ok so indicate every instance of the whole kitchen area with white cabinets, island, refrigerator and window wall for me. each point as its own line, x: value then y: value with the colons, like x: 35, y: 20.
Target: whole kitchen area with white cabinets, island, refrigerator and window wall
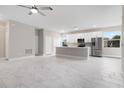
x: 91, y: 43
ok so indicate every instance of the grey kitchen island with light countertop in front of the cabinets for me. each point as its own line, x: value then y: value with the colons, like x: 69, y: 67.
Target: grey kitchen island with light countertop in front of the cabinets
x: 73, y: 52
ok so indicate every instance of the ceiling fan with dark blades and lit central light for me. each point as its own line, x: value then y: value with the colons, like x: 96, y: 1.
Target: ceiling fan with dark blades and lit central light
x: 36, y: 9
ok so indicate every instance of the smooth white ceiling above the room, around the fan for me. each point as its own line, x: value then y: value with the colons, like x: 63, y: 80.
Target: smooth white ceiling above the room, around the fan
x: 65, y: 18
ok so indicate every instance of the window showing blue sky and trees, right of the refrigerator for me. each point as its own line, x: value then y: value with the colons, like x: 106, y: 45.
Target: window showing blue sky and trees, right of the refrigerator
x: 112, y: 39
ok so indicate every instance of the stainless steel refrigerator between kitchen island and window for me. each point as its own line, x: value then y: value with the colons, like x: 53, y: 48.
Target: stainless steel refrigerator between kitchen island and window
x: 96, y: 47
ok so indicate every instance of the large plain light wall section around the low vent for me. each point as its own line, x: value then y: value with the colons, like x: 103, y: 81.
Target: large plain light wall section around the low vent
x: 21, y: 37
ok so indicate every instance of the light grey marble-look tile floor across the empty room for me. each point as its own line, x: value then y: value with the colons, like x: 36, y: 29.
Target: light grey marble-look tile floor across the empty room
x: 52, y: 72
